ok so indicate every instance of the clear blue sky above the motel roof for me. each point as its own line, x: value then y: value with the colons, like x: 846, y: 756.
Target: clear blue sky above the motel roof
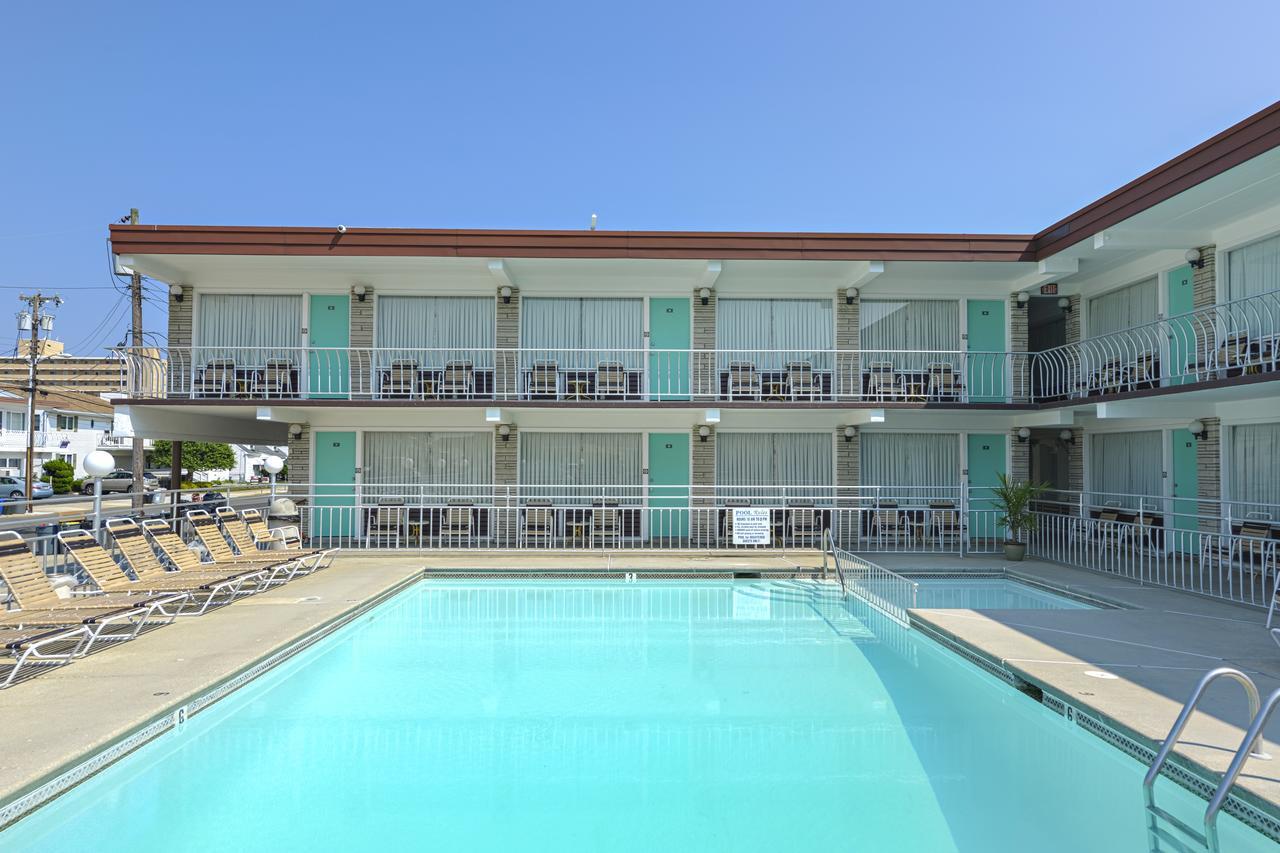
x: 797, y: 116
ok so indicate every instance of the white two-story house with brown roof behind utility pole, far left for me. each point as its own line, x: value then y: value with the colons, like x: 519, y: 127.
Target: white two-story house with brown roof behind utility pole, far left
x: 68, y: 427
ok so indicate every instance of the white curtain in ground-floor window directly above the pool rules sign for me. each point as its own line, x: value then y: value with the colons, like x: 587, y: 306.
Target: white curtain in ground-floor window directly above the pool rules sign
x: 770, y: 460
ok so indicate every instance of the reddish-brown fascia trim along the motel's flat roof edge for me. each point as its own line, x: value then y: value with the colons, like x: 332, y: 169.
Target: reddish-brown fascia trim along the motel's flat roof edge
x: 1233, y: 147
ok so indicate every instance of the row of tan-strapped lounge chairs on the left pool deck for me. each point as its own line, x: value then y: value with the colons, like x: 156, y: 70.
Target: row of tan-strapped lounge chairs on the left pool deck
x: 150, y: 580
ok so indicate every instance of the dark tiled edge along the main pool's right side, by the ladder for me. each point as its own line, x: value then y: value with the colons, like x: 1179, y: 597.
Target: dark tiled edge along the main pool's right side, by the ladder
x: 1260, y: 815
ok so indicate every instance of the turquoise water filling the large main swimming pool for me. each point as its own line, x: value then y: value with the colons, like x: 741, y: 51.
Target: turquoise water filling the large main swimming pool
x: 563, y: 717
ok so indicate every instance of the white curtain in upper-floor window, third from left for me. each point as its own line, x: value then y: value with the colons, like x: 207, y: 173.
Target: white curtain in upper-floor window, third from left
x: 609, y: 330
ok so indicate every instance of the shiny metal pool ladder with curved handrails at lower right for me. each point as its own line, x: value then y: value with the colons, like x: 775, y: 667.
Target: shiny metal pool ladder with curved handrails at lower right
x: 1251, y: 747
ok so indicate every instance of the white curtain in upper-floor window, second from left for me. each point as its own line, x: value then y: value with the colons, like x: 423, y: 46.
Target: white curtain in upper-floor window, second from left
x: 450, y: 329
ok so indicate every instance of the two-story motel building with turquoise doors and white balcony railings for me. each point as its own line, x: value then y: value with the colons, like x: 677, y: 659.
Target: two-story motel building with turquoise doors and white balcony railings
x: 715, y: 391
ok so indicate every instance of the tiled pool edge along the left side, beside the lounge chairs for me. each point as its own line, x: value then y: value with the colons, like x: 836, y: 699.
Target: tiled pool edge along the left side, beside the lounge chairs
x: 52, y: 786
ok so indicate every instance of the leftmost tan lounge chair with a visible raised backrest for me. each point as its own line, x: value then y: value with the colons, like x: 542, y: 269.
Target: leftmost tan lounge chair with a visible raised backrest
x: 40, y: 605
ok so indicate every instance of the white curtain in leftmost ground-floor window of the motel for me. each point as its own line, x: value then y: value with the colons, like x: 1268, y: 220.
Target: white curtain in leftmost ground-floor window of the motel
x: 428, y: 467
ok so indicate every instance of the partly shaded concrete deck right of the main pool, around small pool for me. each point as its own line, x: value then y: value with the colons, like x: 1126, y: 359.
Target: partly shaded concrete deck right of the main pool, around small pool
x: 1158, y: 646
